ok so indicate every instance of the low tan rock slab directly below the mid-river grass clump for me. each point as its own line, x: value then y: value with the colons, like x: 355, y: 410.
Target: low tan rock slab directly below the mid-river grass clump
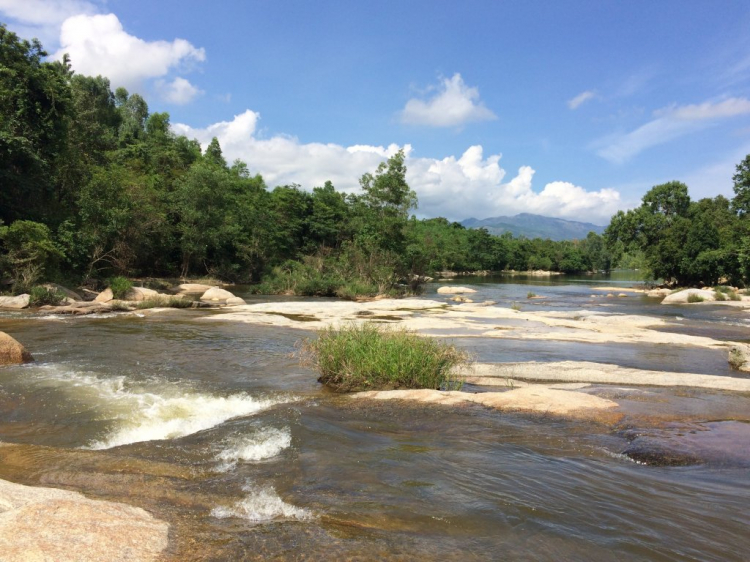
x: 535, y: 398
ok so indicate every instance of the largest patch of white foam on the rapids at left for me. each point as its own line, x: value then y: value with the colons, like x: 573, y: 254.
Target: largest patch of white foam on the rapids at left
x: 152, y: 409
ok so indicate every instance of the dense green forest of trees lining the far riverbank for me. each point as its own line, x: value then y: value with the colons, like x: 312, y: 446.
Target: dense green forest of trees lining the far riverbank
x: 93, y: 185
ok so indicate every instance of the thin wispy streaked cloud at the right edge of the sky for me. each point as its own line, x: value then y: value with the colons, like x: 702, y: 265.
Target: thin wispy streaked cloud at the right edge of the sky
x: 669, y: 123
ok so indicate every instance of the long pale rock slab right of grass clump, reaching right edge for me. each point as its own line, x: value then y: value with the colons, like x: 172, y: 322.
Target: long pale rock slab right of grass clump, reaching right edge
x: 489, y: 374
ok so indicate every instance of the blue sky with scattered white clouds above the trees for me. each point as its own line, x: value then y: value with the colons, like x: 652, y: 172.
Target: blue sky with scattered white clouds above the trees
x: 570, y: 109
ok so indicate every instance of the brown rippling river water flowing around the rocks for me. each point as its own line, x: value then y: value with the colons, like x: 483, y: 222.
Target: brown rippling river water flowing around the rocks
x: 215, y: 428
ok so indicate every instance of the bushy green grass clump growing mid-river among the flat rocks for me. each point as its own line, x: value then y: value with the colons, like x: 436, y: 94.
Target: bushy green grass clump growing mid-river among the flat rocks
x: 375, y: 357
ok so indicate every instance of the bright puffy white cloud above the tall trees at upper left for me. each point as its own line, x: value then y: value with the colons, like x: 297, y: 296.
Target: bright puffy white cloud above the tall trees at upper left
x: 98, y: 44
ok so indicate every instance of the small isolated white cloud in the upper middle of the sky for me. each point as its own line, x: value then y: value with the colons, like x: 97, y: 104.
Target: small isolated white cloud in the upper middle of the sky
x: 454, y: 105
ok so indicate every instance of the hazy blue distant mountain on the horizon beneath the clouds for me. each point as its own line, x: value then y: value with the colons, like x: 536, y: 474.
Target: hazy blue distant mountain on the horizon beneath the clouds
x: 535, y: 226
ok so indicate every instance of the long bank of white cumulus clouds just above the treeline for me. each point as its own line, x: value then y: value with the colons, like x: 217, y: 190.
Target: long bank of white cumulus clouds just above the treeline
x: 453, y: 187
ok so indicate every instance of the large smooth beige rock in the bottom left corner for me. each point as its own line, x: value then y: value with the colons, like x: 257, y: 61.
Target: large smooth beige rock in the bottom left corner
x: 41, y: 524
